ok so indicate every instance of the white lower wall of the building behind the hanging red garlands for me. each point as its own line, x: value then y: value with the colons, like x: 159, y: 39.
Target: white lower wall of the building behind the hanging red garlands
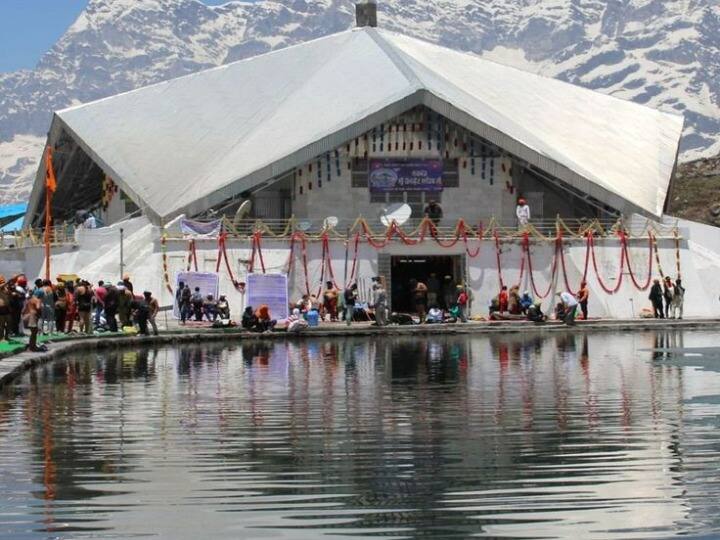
x: 98, y: 258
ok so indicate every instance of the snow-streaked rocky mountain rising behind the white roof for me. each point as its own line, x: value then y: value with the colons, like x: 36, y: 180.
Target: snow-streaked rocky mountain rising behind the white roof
x: 663, y: 53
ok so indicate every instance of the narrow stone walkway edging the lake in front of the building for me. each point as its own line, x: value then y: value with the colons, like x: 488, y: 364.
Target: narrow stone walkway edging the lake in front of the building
x: 14, y: 364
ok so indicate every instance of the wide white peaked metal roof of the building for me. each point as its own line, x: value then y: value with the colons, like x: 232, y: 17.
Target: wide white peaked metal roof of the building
x: 186, y: 144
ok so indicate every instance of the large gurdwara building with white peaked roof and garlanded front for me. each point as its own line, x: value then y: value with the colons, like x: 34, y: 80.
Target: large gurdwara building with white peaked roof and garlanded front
x: 325, y: 138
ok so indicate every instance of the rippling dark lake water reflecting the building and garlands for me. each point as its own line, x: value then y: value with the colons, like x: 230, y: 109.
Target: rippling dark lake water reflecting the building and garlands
x: 522, y: 436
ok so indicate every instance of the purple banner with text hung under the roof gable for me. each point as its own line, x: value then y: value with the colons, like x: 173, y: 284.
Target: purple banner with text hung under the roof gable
x: 405, y: 175
